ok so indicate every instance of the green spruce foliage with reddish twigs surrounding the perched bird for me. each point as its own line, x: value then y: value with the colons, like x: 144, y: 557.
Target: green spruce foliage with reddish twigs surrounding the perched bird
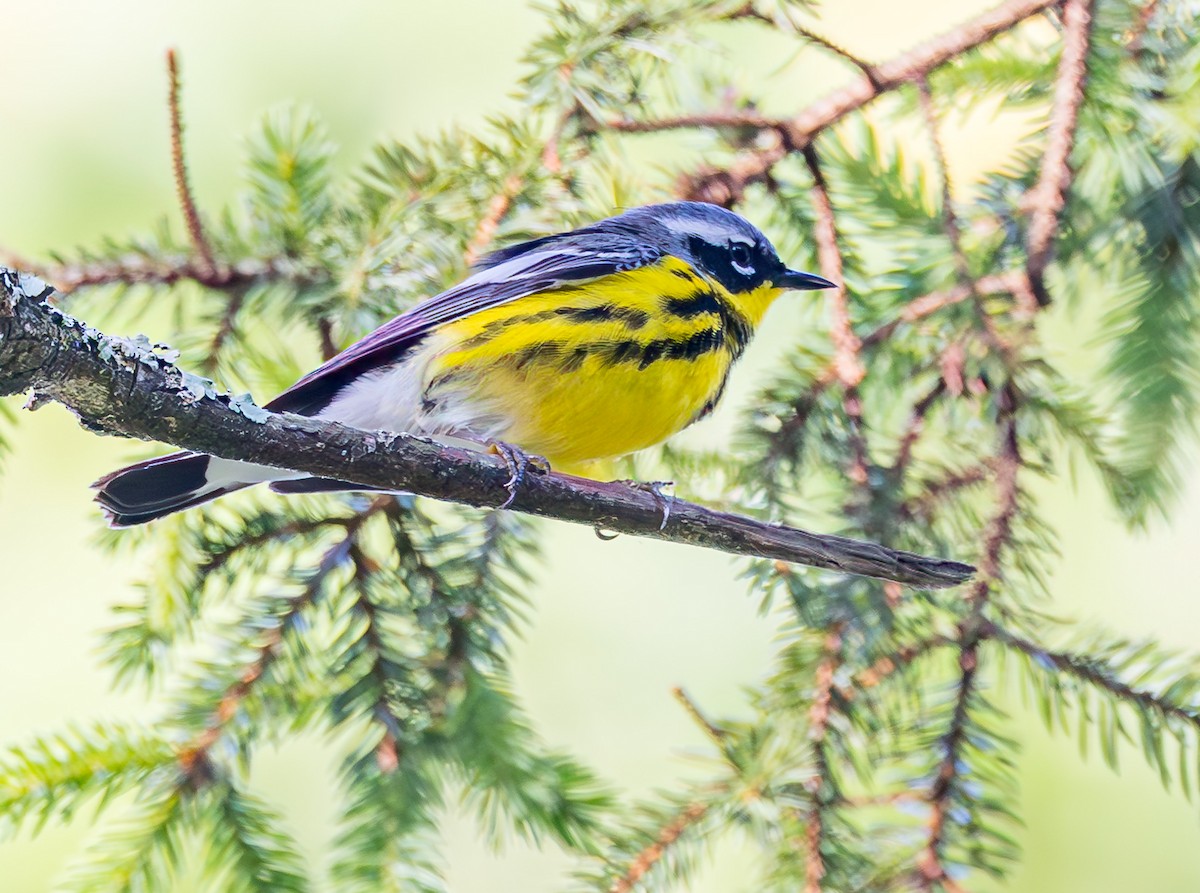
x: 875, y: 758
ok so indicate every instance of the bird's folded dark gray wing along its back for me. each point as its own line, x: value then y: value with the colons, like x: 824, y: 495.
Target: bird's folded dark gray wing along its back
x: 544, y: 266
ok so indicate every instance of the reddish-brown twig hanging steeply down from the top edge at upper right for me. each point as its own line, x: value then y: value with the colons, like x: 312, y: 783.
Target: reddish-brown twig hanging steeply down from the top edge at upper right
x: 1049, y: 196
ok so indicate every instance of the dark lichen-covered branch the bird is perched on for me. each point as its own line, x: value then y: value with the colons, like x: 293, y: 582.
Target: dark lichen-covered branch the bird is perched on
x: 121, y: 387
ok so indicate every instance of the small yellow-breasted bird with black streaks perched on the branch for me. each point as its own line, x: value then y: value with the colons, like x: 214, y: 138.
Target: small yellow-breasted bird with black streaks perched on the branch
x: 571, y: 349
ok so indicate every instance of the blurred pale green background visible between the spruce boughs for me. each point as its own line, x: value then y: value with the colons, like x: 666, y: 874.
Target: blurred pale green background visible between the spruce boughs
x: 613, y: 627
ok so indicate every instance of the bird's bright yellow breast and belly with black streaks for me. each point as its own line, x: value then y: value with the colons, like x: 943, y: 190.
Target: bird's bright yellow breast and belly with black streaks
x: 598, y: 370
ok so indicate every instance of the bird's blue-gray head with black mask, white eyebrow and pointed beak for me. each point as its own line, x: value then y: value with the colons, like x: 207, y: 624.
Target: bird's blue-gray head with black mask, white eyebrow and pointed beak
x: 721, y: 243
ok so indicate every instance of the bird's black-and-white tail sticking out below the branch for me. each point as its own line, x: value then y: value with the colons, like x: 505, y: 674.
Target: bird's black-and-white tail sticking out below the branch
x: 169, y: 484
